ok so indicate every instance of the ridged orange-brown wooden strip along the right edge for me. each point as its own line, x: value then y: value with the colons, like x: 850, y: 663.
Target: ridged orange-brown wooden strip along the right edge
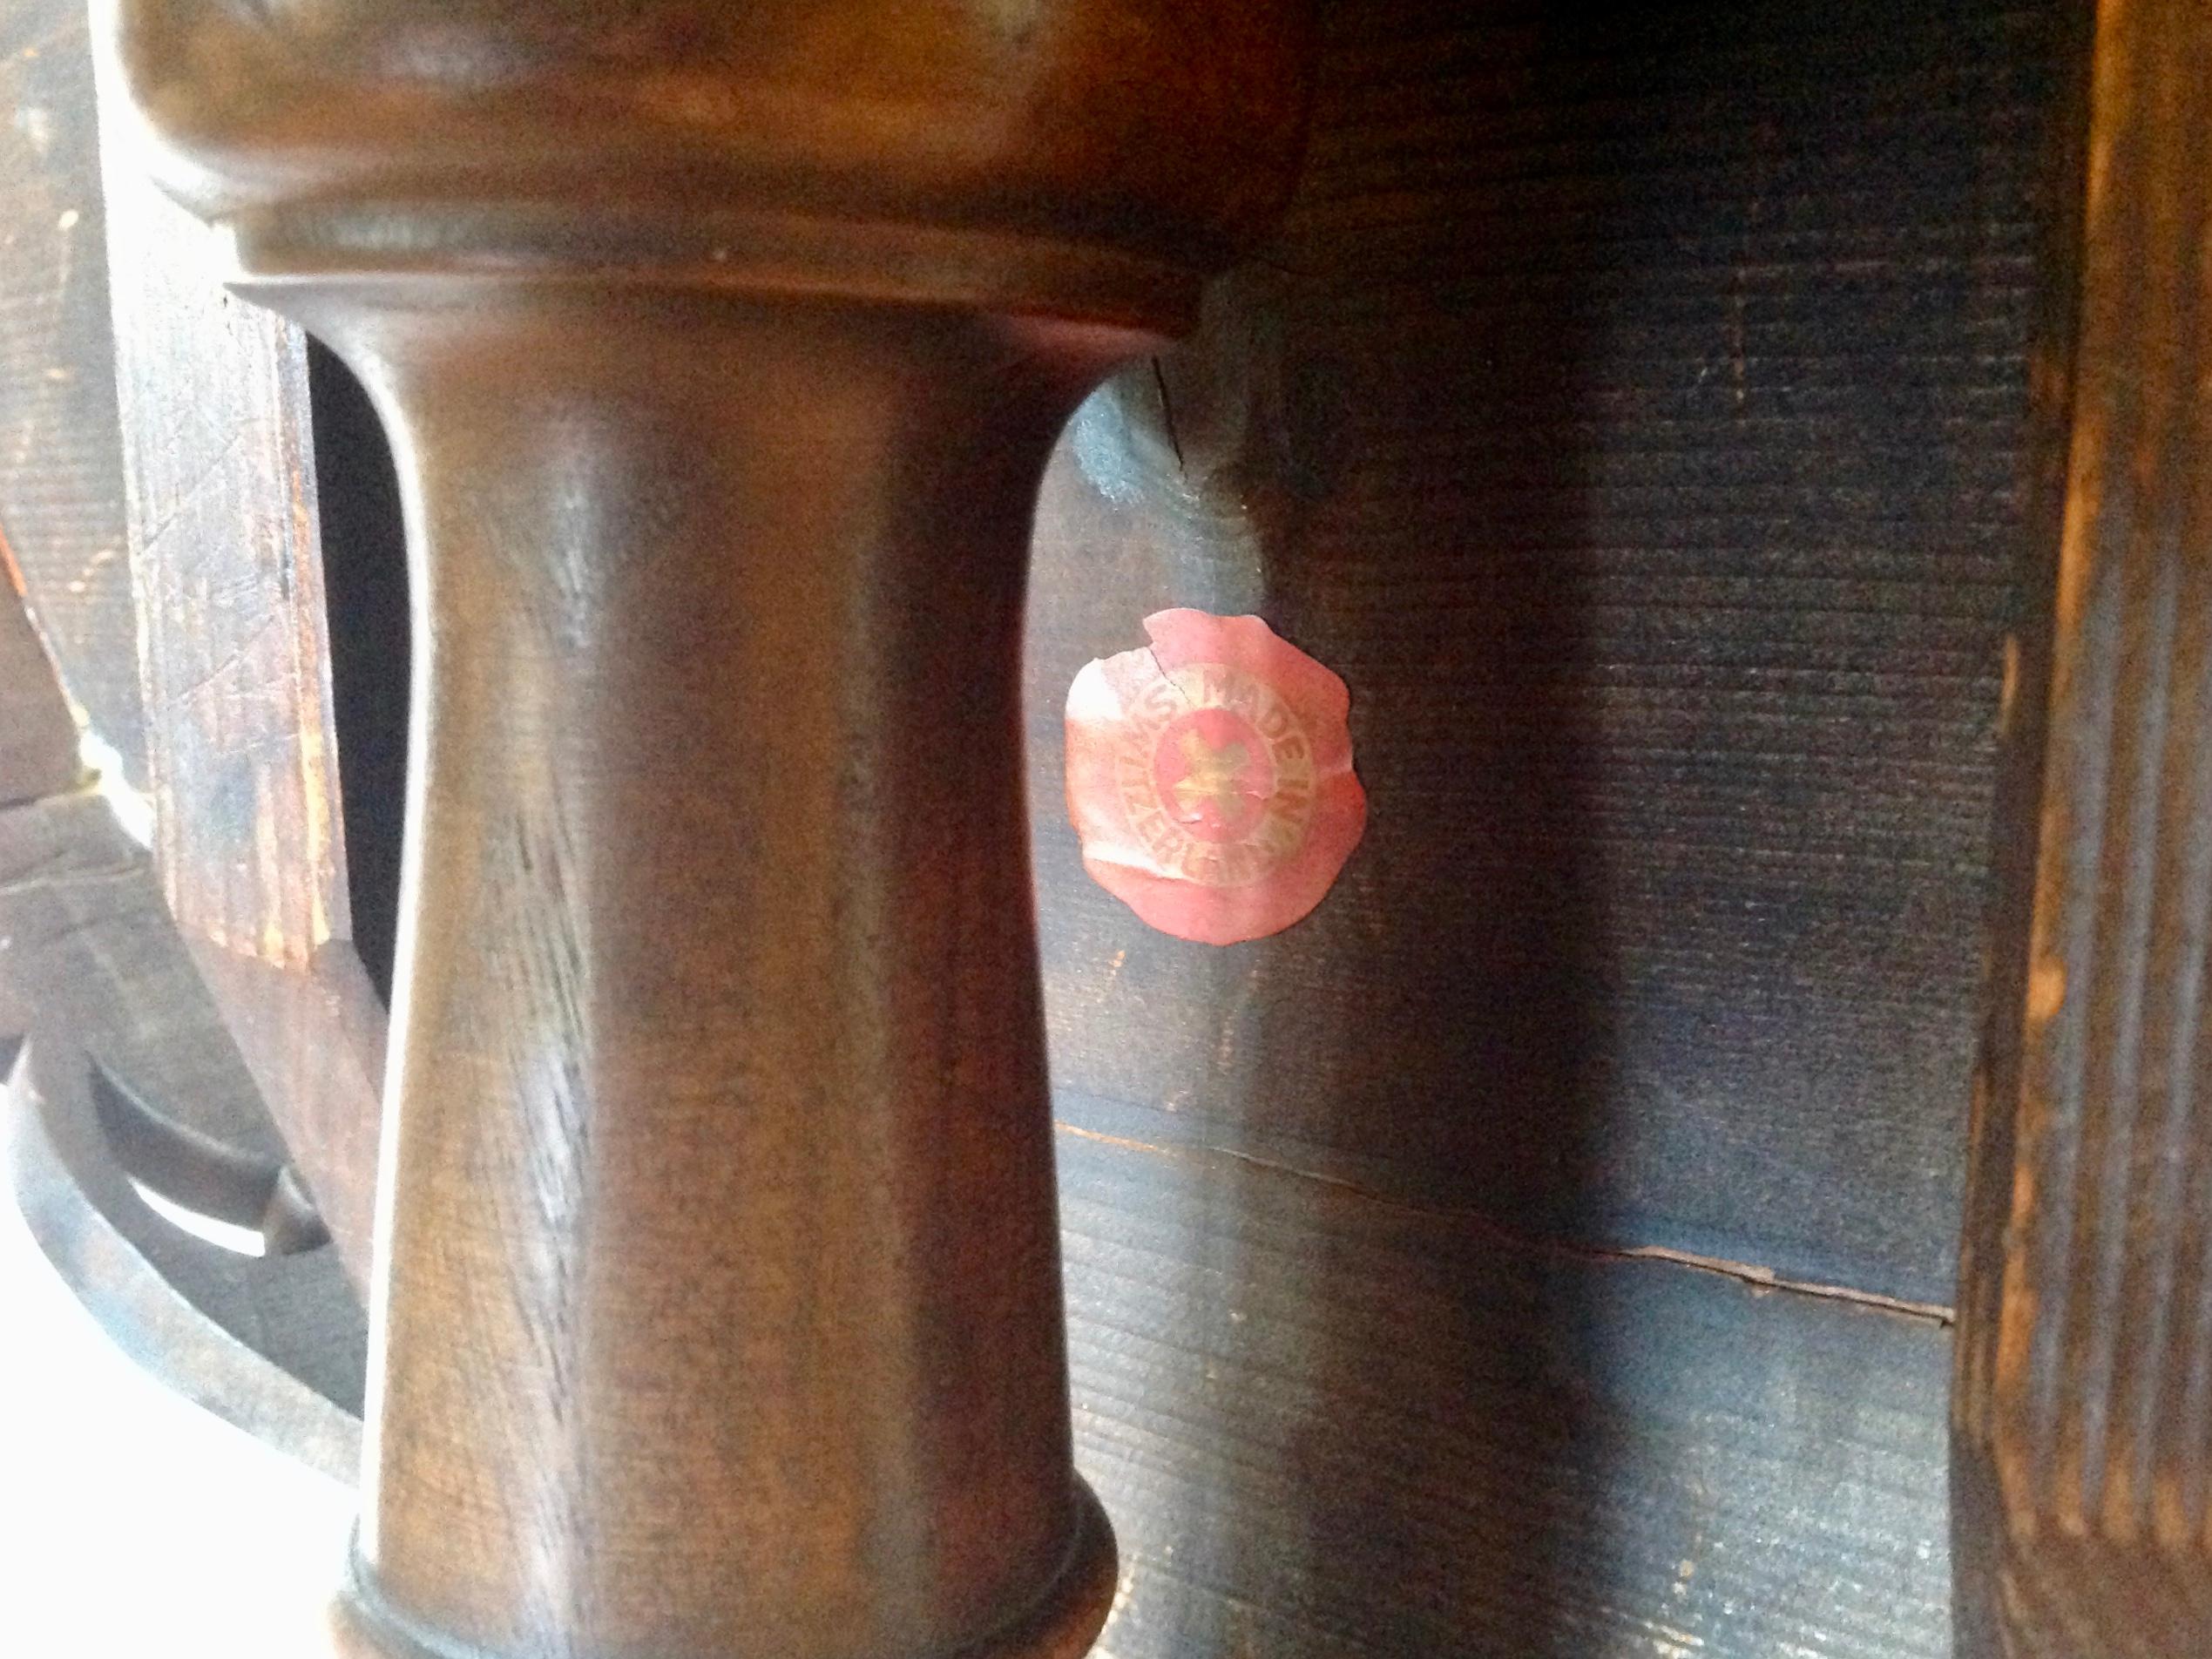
x: 2085, y: 1384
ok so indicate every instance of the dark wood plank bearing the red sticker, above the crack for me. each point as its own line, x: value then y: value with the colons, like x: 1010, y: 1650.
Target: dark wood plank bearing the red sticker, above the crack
x: 1634, y: 415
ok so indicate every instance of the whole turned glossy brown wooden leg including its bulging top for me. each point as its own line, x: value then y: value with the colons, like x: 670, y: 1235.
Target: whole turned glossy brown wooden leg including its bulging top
x: 716, y: 1297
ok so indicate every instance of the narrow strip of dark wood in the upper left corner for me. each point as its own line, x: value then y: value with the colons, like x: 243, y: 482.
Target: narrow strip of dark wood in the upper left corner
x: 61, y: 450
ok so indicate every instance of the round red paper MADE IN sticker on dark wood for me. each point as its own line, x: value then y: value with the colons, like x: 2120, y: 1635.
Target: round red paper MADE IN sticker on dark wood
x: 1211, y: 778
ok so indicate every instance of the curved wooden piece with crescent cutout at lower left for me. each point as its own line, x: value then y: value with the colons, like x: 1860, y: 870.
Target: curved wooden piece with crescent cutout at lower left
x: 134, y: 1087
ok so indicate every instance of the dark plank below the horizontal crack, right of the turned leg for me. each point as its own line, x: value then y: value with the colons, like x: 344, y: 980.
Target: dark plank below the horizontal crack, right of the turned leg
x: 1335, y: 1426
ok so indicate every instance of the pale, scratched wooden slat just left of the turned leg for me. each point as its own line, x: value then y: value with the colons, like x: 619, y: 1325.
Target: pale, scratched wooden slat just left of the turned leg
x: 227, y: 565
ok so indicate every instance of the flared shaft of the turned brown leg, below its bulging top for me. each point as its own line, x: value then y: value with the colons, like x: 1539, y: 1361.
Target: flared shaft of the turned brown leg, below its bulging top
x: 738, y: 1326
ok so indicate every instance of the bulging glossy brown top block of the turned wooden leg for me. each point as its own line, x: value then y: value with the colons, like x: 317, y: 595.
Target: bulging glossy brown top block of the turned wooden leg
x: 1052, y: 156
